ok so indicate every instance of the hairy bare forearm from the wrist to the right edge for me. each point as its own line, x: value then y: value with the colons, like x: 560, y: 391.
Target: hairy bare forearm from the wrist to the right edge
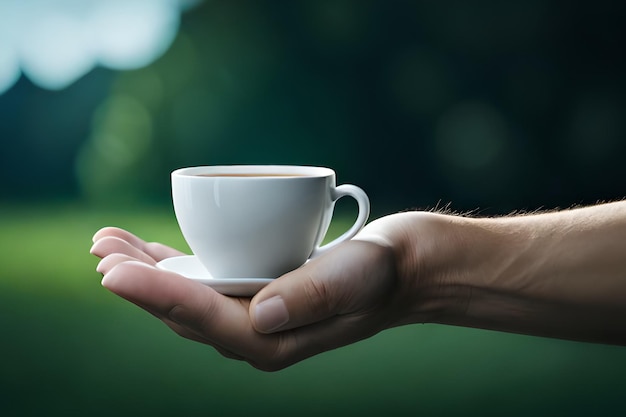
x: 560, y: 274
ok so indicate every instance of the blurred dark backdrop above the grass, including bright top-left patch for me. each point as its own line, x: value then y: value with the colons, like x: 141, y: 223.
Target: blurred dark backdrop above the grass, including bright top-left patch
x: 491, y: 105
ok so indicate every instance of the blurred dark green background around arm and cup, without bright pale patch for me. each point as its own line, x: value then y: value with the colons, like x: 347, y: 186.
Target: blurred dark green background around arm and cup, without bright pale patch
x: 485, y: 105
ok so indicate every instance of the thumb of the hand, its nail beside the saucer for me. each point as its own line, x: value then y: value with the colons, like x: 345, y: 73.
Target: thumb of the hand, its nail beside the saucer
x: 343, y: 281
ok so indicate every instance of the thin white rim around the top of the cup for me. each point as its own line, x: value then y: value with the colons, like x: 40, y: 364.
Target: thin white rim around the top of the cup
x: 296, y: 170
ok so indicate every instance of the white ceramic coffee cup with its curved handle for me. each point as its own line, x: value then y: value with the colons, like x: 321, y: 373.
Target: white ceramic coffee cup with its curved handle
x: 259, y: 221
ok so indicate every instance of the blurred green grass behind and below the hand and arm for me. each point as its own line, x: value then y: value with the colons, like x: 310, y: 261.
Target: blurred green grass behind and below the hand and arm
x: 69, y: 347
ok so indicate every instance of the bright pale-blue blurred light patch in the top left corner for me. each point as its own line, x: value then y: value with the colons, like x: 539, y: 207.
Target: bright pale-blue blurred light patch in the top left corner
x: 58, y: 41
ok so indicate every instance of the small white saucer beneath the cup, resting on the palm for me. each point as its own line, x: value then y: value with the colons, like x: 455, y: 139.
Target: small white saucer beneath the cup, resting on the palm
x: 190, y: 267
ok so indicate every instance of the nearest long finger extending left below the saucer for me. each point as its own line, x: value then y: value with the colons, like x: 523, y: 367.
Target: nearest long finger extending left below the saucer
x: 220, y: 321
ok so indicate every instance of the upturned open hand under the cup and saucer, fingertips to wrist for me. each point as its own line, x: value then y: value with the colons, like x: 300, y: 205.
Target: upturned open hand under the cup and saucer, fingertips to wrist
x: 346, y: 295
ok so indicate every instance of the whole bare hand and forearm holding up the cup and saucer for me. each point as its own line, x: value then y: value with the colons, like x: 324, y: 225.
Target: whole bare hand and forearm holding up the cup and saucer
x: 560, y: 274
